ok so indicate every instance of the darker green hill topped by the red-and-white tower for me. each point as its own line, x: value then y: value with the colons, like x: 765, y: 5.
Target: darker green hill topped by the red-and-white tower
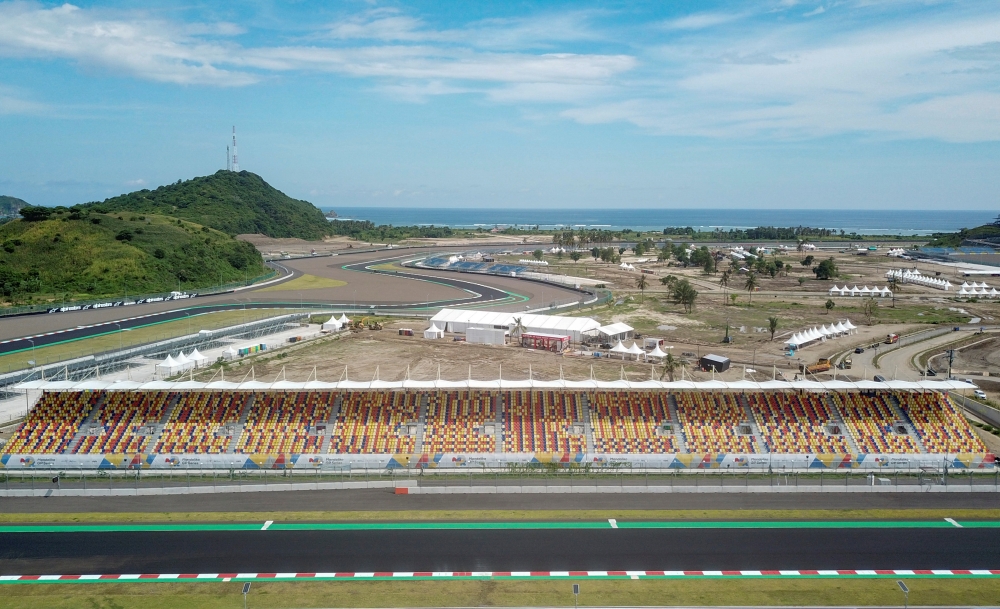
x: 234, y: 203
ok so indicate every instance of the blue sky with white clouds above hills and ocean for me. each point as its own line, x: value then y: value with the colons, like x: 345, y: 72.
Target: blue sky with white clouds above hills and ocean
x: 770, y: 104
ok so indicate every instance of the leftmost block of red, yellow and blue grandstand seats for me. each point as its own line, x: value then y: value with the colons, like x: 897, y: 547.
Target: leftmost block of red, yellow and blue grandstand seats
x: 53, y: 422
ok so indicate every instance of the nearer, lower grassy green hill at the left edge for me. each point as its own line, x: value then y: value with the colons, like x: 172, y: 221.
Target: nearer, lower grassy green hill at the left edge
x: 77, y: 254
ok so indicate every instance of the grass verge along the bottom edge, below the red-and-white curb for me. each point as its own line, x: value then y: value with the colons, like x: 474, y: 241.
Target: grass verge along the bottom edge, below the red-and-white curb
x: 490, y: 593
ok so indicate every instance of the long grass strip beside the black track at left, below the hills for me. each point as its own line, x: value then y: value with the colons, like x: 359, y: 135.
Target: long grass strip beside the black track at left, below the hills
x: 138, y: 336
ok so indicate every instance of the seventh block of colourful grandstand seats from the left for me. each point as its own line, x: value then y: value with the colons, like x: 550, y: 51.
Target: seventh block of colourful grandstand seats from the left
x: 543, y: 421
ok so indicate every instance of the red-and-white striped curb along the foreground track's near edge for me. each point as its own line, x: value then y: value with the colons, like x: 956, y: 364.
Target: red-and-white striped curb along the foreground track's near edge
x: 389, y: 575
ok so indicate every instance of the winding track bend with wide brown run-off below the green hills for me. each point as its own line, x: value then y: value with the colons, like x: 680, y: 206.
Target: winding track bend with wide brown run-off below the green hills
x: 416, y: 289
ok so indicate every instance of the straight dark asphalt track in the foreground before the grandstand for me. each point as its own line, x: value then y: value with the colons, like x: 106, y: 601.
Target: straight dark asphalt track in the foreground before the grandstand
x: 498, y: 550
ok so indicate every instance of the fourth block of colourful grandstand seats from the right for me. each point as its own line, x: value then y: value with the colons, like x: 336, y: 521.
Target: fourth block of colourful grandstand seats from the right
x: 710, y: 423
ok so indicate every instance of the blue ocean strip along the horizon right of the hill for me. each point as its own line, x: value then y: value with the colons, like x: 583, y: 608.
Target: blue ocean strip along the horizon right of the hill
x: 865, y: 222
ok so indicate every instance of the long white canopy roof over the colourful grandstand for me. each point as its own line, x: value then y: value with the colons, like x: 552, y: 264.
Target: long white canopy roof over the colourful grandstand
x: 95, y: 385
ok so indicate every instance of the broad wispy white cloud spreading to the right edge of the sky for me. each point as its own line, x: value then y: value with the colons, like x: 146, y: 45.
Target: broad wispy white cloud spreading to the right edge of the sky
x: 934, y: 79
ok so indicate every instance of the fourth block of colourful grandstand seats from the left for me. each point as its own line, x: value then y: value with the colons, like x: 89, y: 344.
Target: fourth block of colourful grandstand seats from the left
x: 279, y: 422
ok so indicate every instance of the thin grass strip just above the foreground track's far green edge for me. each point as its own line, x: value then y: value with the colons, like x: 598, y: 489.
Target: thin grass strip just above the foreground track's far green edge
x: 499, y: 515
